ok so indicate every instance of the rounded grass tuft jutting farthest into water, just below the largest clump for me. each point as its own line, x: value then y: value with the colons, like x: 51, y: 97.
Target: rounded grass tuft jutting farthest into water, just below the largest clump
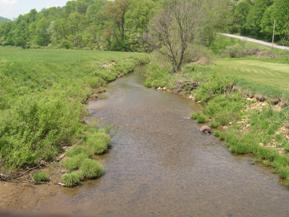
x: 91, y: 169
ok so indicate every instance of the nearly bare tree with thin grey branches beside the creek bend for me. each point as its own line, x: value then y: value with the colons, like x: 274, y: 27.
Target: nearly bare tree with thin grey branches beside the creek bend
x: 174, y: 28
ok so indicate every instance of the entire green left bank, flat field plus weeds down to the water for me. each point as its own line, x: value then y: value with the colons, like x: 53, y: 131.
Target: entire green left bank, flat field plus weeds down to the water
x: 42, y: 97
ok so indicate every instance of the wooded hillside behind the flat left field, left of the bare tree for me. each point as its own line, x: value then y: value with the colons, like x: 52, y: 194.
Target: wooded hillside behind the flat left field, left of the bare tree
x: 95, y: 24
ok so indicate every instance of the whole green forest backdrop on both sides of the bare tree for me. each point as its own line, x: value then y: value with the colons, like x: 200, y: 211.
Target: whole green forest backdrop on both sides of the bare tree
x: 124, y: 24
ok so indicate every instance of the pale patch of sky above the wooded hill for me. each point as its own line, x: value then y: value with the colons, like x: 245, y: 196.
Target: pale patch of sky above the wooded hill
x: 13, y: 8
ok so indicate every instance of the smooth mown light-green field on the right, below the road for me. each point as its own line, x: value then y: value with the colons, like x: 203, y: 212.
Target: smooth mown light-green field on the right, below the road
x: 267, y: 78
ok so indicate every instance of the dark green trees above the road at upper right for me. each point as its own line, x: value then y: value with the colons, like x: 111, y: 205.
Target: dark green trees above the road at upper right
x: 260, y: 18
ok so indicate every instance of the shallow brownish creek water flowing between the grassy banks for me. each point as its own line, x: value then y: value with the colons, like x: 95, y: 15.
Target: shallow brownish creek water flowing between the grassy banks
x: 160, y: 166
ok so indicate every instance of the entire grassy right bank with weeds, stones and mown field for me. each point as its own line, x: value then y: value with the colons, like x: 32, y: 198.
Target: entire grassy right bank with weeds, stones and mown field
x: 245, y: 102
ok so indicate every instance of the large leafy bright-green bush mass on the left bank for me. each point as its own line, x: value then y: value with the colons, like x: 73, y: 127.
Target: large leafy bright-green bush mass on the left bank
x: 35, y: 127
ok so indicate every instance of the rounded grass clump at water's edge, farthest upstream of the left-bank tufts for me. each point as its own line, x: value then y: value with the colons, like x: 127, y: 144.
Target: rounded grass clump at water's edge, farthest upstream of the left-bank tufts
x: 98, y: 142
